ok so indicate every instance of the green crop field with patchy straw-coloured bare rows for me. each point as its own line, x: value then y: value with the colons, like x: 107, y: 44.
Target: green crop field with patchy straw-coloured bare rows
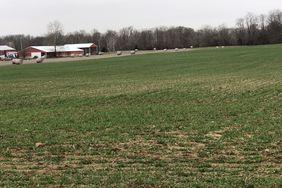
x: 202, y: 118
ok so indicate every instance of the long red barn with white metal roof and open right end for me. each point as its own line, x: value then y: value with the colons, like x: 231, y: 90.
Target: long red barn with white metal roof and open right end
x: 58, y: 51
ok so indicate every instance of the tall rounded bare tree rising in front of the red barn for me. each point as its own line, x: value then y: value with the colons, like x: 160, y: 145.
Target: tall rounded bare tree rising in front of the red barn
x: 55, y: 30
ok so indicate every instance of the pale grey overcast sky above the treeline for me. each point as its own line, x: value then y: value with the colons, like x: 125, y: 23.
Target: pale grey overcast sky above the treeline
x: 32, y: 16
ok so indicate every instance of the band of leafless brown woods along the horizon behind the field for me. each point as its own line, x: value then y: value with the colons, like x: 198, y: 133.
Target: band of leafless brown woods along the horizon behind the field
x: 249, y: 30
